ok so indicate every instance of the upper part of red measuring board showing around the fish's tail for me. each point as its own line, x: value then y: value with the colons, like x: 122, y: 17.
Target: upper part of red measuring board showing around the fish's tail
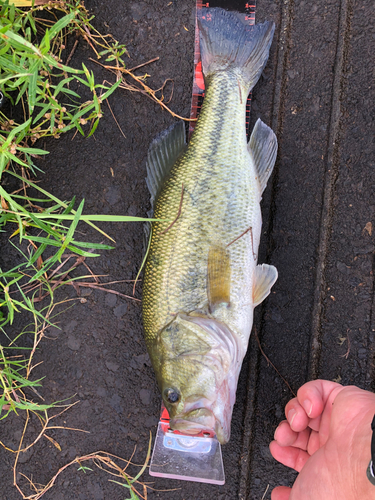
x: 247, y: 8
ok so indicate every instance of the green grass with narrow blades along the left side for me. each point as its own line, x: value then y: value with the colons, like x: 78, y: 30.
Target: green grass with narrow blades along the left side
x: 41, y: 228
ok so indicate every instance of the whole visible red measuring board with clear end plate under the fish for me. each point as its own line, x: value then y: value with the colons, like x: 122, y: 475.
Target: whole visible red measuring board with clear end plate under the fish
x: 177, y: 455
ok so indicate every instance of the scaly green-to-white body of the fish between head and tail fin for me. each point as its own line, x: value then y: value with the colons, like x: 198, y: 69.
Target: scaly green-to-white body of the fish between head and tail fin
x: 210, y: 175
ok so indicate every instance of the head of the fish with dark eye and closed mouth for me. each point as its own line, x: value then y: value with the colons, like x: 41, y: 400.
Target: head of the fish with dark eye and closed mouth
x: 199, y: 363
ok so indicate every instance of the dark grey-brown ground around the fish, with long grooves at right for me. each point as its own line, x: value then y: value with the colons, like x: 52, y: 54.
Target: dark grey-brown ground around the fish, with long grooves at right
x: 317, y: 93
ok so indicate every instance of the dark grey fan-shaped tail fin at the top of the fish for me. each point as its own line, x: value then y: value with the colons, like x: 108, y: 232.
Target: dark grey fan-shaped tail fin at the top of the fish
x: 228, y: 43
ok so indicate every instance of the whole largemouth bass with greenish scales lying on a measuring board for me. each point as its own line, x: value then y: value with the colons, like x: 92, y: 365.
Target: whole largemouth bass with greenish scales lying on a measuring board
x: 201, y: 280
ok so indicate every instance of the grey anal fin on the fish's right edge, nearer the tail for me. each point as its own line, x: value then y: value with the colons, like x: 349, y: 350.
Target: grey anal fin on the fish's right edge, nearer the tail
x: 263, y: 147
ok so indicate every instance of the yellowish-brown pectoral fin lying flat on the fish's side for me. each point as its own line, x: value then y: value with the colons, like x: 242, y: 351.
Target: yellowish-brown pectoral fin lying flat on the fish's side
x: 218, y: 276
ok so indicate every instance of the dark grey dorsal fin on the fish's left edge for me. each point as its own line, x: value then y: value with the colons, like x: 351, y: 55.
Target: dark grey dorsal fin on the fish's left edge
x: 162, y: 155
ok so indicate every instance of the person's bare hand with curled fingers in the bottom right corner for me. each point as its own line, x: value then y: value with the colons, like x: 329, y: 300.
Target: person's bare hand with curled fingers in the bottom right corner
x: 327, y: 439
